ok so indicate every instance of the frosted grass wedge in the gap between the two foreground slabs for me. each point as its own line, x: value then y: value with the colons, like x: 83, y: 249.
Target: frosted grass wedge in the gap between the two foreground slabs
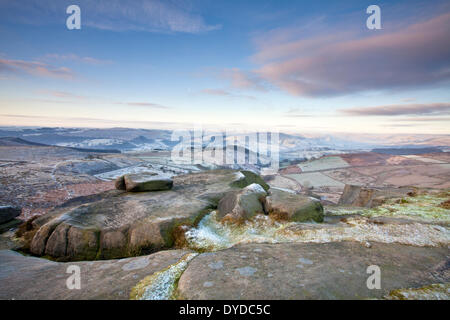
x: 161, y: 285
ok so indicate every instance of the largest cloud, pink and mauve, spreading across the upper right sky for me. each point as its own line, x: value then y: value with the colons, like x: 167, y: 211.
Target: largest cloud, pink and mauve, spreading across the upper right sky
x: 343, y: 62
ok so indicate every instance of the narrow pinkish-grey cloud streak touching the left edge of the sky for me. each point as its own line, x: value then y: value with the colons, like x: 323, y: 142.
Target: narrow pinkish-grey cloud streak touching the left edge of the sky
x: 35, y: 68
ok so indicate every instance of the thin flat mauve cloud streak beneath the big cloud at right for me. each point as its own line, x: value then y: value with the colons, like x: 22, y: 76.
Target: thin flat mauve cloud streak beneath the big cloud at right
x: 396, y: 109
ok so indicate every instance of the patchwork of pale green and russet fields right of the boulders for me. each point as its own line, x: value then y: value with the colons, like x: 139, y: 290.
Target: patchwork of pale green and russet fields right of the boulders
x: 328, y: 175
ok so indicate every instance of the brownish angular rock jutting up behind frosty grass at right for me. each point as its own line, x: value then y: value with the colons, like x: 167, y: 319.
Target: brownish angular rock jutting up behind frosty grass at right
x: 358, y: 196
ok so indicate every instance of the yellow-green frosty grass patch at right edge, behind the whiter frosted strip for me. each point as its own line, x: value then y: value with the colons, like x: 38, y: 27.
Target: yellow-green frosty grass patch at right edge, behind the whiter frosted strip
x: 426, y: 207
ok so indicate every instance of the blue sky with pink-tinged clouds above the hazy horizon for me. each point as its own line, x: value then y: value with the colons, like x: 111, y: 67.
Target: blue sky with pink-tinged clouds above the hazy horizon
x: 293, y: 66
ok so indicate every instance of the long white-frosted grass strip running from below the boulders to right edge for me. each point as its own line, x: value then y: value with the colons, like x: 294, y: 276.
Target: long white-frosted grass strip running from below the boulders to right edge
x: 211, y: 235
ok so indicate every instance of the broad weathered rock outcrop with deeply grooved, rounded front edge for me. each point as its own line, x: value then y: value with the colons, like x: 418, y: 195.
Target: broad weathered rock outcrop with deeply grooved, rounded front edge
x: 119, y: 224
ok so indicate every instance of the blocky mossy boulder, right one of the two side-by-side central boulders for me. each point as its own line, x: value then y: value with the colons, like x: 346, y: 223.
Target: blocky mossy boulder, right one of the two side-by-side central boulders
x: 293, y: 207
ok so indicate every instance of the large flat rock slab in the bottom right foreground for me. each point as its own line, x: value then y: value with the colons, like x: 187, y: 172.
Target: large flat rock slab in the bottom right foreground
x: 311, y: 271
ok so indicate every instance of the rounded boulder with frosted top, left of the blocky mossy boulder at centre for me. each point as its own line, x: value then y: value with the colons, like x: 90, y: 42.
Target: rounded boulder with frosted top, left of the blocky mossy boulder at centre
x: 238, y: 206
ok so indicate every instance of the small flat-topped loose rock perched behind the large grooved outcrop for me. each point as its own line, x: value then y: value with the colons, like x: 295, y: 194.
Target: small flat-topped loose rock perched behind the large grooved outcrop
x: 147, y: 182
